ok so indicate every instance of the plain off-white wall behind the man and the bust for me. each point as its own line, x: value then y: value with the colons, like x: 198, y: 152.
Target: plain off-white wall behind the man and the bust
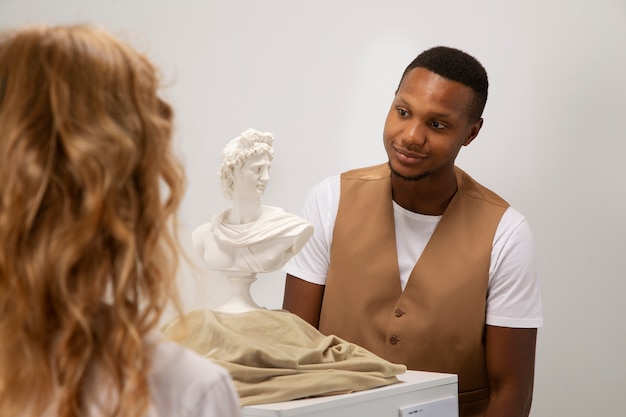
x: 320, y: 76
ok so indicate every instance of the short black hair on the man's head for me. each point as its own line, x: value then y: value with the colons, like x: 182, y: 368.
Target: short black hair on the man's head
x: 458, y: 66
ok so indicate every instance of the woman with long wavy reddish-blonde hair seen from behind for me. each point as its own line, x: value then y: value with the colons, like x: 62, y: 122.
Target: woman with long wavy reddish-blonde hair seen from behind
x: 89, y: 189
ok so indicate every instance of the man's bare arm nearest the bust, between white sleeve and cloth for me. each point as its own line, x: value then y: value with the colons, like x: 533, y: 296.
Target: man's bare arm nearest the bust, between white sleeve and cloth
x: 303, y: 299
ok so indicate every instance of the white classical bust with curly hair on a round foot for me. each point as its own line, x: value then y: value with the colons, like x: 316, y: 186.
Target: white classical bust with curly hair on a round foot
x: 249, y: 238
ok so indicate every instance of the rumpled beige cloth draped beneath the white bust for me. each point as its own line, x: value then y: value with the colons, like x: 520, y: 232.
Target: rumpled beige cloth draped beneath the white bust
x: 274, y: 355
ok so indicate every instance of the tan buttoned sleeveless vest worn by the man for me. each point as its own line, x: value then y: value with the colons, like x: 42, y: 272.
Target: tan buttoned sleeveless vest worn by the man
x: 438, y: 322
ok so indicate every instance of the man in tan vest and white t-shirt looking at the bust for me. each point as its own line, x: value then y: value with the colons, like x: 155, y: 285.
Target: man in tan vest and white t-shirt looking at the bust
x: 417, y: 262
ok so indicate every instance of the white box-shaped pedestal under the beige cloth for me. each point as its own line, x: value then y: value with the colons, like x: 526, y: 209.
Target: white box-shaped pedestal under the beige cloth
x: 416, y: 388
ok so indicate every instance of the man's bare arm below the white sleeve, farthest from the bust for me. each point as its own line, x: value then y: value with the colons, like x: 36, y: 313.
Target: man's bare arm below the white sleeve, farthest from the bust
x: 511, y: 370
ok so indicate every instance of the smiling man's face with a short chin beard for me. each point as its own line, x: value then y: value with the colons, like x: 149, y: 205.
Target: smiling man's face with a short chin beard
x: 427, y: 124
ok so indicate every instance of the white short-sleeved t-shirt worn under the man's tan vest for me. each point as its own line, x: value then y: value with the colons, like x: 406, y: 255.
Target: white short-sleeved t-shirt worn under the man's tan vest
x: 513, y: 298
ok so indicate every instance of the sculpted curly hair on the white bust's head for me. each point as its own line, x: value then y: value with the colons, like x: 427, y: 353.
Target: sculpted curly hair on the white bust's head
x: 239, y: 150
